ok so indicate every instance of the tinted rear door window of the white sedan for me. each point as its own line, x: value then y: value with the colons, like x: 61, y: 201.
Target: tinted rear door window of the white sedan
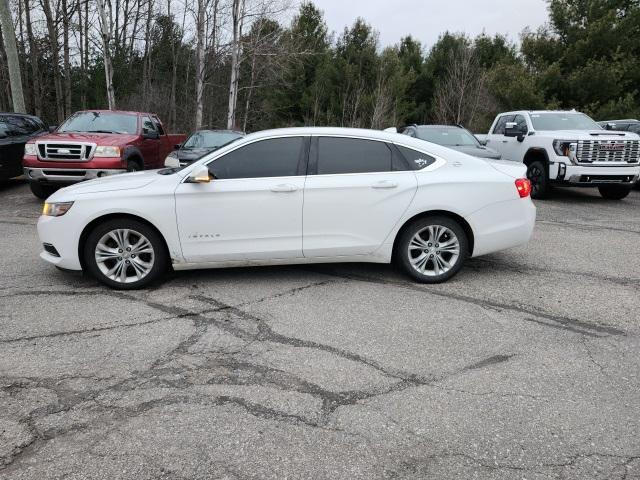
x: 350, y: 155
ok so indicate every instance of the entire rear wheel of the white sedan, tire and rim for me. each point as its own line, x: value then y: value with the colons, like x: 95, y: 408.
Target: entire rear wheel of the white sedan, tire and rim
x: 432, y: 249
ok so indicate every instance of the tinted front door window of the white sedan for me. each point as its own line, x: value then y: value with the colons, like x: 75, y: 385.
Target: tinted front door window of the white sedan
x: 277, y: 157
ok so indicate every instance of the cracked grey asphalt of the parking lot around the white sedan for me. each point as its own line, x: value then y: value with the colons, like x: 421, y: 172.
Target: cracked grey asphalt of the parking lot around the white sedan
x: 525, y: 366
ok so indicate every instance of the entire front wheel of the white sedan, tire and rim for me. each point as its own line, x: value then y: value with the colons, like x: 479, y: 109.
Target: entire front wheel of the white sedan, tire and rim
x: 125, y: 254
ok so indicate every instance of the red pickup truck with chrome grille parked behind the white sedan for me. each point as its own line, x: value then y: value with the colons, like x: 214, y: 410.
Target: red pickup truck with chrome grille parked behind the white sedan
x: 93, y: 144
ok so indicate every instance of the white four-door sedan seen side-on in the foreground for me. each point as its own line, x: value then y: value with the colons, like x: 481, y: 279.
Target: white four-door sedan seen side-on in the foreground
x: 293, y: 196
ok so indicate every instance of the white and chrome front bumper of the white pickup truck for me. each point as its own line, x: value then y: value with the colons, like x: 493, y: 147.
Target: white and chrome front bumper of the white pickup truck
x: 593, y: 175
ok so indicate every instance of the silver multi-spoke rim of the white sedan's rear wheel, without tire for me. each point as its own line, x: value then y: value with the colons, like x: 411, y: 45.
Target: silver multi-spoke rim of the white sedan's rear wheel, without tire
x: 434, y: 250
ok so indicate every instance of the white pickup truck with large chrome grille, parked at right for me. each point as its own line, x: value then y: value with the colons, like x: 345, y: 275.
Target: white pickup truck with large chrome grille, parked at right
x: 567, y: 148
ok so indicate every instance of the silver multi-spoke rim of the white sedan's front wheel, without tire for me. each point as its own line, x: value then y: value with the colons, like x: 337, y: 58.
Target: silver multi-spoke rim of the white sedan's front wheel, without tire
x: 124, y: 255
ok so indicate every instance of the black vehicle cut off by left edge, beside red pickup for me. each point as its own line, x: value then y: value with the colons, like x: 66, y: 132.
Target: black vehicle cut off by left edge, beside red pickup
x: 16, y: 129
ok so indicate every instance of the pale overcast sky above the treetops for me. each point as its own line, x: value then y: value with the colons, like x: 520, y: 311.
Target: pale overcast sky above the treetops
x: 426, y: 19
